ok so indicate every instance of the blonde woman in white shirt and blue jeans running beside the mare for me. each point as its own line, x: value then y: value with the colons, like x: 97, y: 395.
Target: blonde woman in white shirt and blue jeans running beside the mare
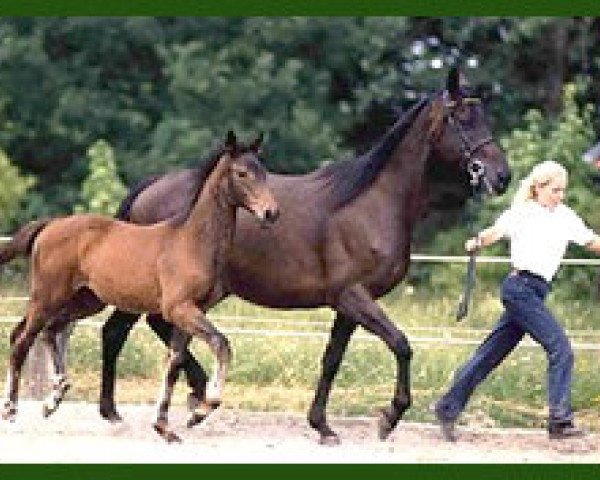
x: 539, y: 227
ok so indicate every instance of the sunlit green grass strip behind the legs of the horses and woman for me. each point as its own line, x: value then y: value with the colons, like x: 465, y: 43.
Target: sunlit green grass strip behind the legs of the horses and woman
x: 279, y: 373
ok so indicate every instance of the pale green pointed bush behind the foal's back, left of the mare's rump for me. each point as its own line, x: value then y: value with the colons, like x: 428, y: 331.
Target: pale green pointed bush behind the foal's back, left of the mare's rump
x: 102, y: 190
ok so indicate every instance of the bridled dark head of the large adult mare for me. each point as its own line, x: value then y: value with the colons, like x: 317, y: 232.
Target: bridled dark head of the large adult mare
x: 462, y: 141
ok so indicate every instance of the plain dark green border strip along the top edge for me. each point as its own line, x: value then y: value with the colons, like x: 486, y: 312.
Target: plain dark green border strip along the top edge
x: 300, y: 7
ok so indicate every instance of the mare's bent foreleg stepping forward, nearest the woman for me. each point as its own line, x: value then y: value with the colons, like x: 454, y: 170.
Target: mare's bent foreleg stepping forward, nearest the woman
x: 358, y: 305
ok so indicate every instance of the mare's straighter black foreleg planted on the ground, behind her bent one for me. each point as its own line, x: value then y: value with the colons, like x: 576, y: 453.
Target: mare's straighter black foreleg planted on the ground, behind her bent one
x: 338, y: 342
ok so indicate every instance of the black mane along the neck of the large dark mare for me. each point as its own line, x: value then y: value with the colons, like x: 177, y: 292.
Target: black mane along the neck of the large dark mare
x: 346, y: 179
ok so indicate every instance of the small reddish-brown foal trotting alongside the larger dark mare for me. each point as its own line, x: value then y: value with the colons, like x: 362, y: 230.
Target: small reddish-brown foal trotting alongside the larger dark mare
x: 171, y: 268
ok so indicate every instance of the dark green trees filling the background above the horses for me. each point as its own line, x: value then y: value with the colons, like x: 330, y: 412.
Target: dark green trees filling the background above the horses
x: 162, y: 91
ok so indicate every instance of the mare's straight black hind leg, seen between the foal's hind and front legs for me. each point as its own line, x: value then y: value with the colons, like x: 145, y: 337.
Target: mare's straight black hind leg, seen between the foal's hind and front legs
x: 114, y: 333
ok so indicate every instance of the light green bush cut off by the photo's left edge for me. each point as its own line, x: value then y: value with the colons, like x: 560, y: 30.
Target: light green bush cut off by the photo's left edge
x: 13, y: 188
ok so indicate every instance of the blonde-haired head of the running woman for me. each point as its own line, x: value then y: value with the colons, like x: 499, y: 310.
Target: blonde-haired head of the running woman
x: 545, y: 184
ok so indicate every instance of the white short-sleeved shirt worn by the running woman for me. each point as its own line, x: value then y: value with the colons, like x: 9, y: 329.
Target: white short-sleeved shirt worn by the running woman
x: 539, y: 236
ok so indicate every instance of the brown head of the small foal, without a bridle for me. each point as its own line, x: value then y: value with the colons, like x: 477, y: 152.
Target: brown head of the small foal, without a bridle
x: 247, y: 179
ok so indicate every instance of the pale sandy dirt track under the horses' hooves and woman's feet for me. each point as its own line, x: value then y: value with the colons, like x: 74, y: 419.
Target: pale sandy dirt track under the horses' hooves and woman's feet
x: 77, y: 434
